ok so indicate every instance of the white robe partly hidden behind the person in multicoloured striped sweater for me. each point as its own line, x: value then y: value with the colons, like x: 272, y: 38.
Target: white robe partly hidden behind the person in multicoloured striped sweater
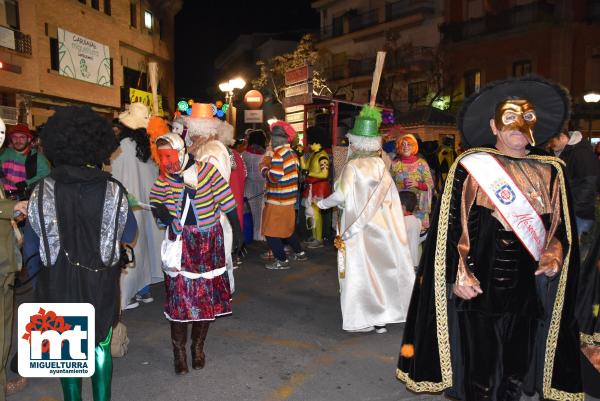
x: 215, y: 153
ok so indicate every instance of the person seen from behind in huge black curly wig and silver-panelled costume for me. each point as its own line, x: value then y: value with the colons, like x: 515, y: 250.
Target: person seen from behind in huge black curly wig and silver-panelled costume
x: 79, y: 251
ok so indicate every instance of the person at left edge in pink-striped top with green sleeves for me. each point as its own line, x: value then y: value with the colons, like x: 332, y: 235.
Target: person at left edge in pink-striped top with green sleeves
x: 21, y: 165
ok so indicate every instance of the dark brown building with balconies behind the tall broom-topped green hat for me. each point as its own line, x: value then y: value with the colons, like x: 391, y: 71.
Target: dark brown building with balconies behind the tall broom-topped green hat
x: 352, y: 31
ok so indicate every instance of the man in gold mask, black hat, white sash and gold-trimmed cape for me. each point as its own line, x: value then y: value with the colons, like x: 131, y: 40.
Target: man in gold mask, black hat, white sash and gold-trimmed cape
x: 491, y: 318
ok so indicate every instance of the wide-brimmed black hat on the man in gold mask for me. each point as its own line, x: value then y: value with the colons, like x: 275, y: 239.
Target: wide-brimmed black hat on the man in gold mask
x: 550, y: 100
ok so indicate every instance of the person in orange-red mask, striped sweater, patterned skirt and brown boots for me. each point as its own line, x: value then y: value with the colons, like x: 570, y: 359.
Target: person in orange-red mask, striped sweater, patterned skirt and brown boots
x: 189, y: 200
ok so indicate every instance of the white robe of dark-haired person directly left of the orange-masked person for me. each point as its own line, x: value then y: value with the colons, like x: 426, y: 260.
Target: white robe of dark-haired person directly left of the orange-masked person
x: 137, y: 177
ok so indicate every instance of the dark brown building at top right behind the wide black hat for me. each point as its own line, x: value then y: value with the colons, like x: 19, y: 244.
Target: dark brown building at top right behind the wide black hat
x: 486, y: 41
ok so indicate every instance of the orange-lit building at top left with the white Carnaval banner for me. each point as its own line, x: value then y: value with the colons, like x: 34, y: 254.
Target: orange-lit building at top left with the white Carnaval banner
x: 61, y: 52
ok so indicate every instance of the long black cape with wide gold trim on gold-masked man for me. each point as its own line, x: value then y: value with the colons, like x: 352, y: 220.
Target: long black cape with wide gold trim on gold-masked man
x: 432, y: 361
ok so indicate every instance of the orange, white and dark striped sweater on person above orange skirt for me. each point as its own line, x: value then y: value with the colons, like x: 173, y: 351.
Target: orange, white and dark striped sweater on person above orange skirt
x: 282, y: 177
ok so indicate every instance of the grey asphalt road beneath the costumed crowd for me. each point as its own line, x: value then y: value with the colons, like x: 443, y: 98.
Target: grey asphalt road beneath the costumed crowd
x: 283, y: 342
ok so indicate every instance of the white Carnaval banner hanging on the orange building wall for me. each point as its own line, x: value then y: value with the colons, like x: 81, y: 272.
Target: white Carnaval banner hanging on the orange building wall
x: 82, y: 58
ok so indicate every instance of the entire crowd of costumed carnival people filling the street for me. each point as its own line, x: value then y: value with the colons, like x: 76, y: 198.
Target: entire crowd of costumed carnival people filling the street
x: 480, y: 257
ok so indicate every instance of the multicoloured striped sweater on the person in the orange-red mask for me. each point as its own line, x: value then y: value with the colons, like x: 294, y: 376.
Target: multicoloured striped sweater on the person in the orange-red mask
x: 213, y: 197
